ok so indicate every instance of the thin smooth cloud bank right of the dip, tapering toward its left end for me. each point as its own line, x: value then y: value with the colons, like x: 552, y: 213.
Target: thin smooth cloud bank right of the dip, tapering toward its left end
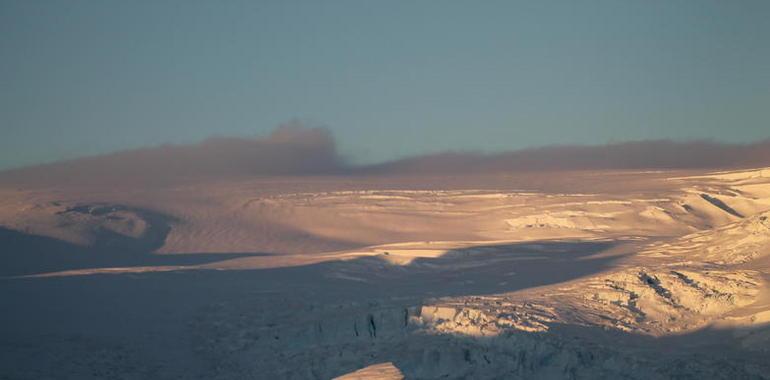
x: 629, y: 155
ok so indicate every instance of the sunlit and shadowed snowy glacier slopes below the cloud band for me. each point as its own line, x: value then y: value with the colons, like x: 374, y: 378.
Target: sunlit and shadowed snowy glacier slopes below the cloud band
x: 639, y: 275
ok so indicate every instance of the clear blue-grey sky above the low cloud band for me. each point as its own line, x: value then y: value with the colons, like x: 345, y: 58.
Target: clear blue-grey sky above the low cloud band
x: 388, y: 78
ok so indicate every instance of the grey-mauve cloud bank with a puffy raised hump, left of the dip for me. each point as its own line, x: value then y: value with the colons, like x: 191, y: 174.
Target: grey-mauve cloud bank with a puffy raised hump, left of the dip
x: 291, y: 150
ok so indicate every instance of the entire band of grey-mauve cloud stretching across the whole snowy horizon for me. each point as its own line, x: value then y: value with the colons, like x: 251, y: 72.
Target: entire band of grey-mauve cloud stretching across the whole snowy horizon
x: 293, y: 150
